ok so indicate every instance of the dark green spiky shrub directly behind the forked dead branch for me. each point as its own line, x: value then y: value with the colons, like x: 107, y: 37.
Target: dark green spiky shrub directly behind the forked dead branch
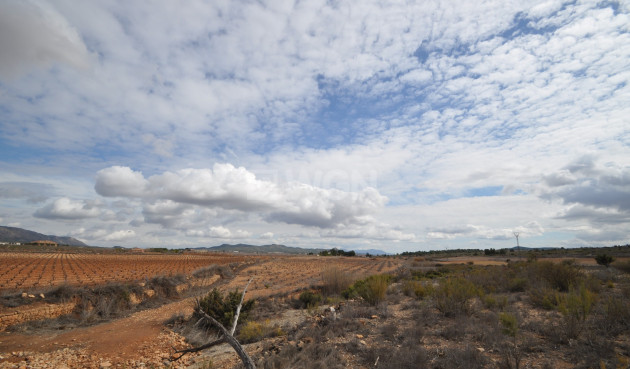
x: 222, y: 308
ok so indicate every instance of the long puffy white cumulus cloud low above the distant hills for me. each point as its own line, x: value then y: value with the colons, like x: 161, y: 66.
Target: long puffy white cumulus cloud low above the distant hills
x: 168, y: 196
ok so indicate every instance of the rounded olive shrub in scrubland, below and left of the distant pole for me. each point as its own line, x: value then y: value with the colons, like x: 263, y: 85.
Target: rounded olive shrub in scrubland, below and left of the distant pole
x: 453, y: 295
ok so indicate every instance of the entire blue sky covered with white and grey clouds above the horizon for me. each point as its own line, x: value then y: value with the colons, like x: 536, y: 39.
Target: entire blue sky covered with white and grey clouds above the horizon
x: 397, y: 125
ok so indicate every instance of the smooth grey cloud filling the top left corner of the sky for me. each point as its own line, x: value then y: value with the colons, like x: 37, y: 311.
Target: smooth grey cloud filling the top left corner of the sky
x: 33, y: 33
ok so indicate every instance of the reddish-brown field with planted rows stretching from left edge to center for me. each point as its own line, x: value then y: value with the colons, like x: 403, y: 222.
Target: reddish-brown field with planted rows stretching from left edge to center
x: 273, y: 274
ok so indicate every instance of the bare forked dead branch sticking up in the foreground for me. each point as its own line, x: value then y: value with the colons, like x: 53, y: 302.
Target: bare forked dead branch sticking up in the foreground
x: 225, y: 335
